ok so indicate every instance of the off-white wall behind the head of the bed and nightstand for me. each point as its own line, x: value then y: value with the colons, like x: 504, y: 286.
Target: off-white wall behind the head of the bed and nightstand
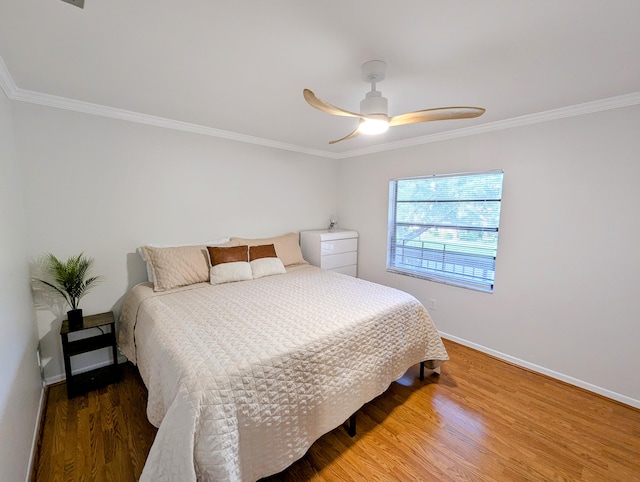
x: 105, y: 187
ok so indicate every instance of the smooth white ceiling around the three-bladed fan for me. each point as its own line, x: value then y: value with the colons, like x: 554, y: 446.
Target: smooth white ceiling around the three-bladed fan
x: 237, y: 68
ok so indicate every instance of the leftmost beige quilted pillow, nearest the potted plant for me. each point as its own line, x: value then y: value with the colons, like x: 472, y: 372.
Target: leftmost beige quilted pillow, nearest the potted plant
x: 177, y: 266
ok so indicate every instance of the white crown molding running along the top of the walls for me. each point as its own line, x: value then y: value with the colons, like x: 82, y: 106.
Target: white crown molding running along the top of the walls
x: 22, y: 95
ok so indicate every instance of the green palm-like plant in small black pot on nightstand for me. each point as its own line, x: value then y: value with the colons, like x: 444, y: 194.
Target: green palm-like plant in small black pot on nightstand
x: 69, y: 279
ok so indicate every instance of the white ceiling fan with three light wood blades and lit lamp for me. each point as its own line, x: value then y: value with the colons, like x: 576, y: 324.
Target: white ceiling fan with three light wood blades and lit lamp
x: 373, y: 117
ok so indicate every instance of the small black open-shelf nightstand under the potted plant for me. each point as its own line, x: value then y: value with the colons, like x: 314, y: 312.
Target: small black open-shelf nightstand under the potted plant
x: 83, y: 382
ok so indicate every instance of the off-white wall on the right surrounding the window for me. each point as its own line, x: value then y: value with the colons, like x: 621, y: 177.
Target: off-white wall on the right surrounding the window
x: 566, y: 291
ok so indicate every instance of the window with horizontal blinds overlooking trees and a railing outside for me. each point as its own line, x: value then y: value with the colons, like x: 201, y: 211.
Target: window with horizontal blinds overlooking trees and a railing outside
x: 445, y: 228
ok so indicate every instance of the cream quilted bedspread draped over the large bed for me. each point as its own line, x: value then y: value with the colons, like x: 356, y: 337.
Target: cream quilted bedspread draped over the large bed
x: 244, y: 377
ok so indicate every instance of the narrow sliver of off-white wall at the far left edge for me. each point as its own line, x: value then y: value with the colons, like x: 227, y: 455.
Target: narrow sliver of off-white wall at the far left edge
x: 20, y: 382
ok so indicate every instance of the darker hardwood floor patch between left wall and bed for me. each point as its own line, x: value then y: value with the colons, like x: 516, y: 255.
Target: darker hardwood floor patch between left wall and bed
x: 101, y: 436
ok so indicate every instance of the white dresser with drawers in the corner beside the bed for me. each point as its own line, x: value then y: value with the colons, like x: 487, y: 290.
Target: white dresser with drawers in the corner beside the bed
x: 336, y: 250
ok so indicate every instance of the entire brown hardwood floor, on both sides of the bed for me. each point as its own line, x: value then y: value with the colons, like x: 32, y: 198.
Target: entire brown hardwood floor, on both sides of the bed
x: 481, y: 420
